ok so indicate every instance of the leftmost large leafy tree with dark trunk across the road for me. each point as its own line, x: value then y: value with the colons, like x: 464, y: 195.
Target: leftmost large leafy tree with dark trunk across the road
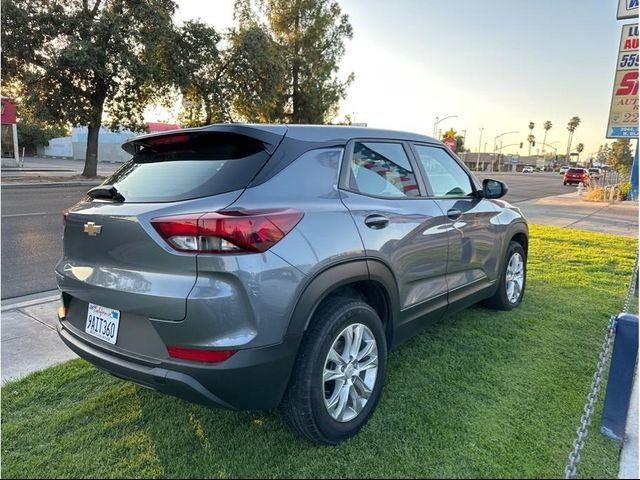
x: 80, y: 64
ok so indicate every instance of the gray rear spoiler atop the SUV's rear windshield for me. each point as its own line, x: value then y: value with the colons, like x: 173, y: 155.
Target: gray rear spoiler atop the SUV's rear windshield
x: 269, y: 135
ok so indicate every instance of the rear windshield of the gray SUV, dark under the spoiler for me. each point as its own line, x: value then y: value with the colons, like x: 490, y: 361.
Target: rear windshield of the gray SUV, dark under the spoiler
x: 207, y: 164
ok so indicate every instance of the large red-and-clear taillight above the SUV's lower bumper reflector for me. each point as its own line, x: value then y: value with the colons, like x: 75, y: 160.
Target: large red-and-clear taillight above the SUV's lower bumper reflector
x: 227, y: 232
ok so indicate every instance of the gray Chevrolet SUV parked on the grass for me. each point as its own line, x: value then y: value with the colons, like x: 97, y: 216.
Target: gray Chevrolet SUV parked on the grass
x: 262, y: 266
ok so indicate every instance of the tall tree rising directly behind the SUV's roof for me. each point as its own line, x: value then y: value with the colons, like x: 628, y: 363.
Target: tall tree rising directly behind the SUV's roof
x: 311, y: 35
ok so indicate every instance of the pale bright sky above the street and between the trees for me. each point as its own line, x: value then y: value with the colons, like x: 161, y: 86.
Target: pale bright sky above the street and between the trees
x: 494, y: 64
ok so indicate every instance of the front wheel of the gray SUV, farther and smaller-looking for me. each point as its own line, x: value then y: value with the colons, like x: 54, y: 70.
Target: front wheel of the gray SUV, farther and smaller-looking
x: 512, y: 277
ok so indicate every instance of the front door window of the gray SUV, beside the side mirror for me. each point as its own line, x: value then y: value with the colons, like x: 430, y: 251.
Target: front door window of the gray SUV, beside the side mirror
x: 446, y: 177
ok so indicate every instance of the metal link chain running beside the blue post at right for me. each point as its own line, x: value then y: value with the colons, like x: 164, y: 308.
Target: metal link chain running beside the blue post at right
x: 587, y: 415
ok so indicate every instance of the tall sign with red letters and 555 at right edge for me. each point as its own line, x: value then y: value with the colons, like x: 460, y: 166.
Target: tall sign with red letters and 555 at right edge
x: 623, y: 115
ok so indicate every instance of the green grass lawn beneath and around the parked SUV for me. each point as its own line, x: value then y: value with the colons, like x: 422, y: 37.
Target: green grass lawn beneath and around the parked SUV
x: 484, y: 394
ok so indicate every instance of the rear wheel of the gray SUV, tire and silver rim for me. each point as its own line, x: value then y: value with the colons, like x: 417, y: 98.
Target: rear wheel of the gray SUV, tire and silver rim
x: 309, y: 404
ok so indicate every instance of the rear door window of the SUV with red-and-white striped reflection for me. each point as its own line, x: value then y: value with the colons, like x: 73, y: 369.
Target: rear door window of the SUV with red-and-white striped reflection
x: 382, y: 169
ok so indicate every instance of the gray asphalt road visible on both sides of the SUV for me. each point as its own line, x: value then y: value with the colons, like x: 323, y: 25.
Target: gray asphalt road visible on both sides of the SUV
x: 32, y: 227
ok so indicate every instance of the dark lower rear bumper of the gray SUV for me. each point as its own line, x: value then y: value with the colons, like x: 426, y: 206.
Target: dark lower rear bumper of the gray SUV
x: 253, y: 379
